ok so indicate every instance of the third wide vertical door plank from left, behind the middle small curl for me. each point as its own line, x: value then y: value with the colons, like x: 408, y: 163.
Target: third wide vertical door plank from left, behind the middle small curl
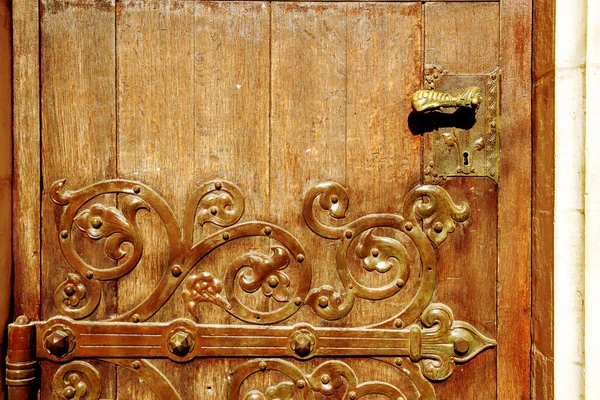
x: 231, y: 86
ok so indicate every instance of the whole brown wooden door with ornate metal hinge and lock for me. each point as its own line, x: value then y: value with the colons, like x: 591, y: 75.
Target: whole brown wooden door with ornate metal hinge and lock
x: 239, y: 200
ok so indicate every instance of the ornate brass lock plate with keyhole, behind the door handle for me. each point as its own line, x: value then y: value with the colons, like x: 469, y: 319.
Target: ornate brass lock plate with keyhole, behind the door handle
x: 461, y: 141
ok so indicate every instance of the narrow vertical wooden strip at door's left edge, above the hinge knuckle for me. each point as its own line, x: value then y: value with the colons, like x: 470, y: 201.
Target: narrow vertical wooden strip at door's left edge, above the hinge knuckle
x: 27, y: 164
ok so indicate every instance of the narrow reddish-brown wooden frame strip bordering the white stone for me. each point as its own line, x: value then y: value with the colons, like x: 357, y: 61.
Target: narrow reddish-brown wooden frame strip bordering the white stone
x: 542, y: 285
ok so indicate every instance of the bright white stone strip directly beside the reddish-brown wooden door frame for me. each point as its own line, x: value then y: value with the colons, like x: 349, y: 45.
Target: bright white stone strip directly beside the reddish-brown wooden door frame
x: 569, y: 217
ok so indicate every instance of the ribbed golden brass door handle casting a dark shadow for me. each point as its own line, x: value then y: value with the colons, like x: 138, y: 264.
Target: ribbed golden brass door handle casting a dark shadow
x: 427, y: 100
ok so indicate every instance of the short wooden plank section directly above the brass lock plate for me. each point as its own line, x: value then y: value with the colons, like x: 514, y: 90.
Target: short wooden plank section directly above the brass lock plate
x: 451, y: 41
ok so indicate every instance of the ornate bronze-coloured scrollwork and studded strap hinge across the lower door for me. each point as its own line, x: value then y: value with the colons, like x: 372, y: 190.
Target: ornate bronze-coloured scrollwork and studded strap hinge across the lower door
x: 425, y: 335
